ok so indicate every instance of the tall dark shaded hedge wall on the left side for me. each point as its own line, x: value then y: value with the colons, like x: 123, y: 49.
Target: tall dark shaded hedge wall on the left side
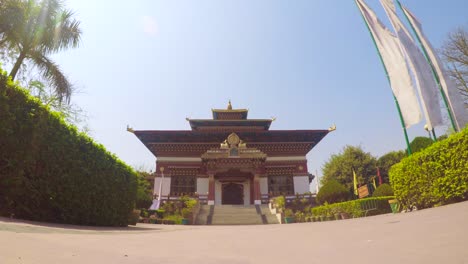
x: 51, y: 172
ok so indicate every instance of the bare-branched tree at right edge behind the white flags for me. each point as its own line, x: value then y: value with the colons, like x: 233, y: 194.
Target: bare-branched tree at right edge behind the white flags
x: 455, y: 53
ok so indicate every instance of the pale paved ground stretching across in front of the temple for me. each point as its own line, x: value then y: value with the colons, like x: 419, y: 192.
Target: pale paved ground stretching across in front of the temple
x: 437, y: 235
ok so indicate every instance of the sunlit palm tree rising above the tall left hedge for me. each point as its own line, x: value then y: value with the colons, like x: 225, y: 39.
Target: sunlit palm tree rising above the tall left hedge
x: 39, y: 29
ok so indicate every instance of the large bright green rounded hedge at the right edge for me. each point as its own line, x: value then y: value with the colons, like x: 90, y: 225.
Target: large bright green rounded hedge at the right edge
x: 437, y: 175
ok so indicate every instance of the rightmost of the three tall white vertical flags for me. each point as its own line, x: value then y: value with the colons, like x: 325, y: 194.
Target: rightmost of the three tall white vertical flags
x: 454, y: 98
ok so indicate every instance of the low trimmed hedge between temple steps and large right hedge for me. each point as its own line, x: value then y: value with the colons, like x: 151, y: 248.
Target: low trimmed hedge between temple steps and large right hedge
x: 354, y: 208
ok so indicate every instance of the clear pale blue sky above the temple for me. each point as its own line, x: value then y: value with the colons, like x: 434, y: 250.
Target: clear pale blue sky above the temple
x: 150, y: 64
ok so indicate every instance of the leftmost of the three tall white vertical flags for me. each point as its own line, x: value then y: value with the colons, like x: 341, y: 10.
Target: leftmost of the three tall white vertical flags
x: 394, y: 61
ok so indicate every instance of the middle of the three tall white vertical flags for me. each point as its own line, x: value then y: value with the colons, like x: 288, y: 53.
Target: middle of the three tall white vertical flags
x: 422, y: 73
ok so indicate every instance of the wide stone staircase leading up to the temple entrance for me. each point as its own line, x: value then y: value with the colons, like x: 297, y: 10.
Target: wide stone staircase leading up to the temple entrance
x: 235, y: 215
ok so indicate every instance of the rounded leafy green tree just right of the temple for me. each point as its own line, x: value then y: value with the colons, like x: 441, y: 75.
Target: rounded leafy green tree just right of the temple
x: 340, y: 167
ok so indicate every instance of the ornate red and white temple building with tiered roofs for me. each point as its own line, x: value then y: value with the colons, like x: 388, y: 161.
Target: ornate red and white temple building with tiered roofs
x: 231, y: 159
